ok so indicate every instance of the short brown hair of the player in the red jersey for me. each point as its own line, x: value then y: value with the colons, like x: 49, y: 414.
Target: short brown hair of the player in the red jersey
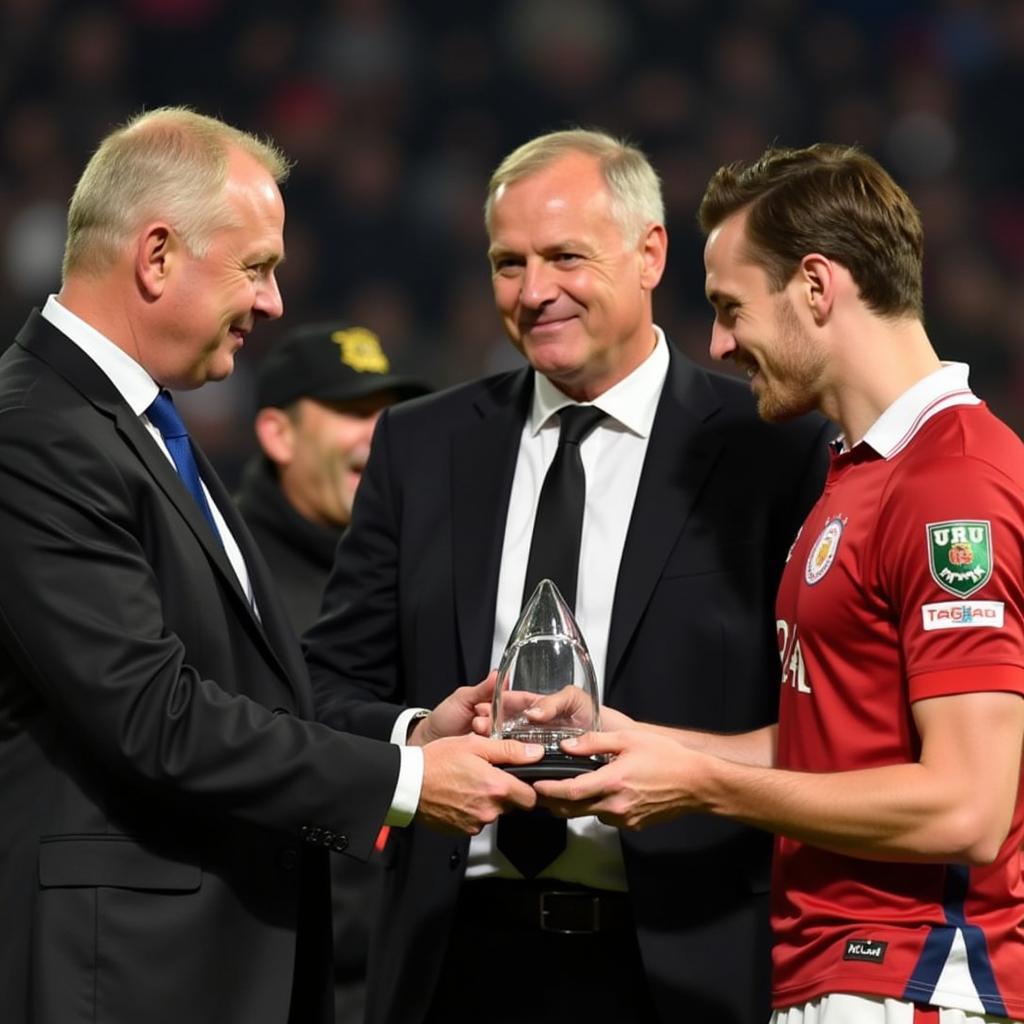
x: 833, y: 200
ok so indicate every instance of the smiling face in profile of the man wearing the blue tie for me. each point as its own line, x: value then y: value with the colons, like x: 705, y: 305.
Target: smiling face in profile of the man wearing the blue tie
x: 212, y: 302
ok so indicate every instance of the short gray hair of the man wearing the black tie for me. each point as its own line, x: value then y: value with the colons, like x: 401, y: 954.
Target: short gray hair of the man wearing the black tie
x: 633, y: 185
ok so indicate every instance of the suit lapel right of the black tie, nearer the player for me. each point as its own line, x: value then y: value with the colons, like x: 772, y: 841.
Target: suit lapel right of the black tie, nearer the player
x: 680, y: 455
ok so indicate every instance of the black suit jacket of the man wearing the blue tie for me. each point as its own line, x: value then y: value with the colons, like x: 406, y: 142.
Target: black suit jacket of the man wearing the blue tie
x: 156, y: 769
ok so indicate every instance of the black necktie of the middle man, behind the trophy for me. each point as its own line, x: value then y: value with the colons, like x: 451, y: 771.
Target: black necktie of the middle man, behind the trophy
x: 534, y: 840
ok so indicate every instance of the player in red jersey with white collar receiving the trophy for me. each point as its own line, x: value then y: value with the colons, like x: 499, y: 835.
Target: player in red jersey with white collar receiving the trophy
x: 892, y: 779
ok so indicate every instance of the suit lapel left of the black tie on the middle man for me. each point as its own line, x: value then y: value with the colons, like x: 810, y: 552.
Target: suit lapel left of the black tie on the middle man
x: 483, y: 467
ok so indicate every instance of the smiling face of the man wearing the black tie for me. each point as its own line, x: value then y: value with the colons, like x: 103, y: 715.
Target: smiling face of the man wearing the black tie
x: 574, y: 297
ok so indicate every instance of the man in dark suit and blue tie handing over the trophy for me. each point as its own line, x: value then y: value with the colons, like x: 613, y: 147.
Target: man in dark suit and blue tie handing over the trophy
x: 166, y: 805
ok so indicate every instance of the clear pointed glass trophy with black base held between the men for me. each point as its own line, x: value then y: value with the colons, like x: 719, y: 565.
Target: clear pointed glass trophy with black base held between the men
x: 546, y: 662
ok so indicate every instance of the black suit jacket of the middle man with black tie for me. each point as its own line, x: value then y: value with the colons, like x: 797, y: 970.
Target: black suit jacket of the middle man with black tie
x: 409, y: 615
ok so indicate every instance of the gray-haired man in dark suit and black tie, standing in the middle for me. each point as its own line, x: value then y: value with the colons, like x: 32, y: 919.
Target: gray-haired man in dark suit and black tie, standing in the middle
x: 691, y: 506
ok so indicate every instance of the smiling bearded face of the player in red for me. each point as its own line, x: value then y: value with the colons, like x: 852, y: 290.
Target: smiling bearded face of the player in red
x: 758, y: 329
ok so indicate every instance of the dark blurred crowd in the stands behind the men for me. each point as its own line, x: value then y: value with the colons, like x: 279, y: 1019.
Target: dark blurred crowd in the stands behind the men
x: 396, y: 113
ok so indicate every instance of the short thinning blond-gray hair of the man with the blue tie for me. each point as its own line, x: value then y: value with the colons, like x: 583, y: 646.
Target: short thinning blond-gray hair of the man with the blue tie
x: 170, y: 163
